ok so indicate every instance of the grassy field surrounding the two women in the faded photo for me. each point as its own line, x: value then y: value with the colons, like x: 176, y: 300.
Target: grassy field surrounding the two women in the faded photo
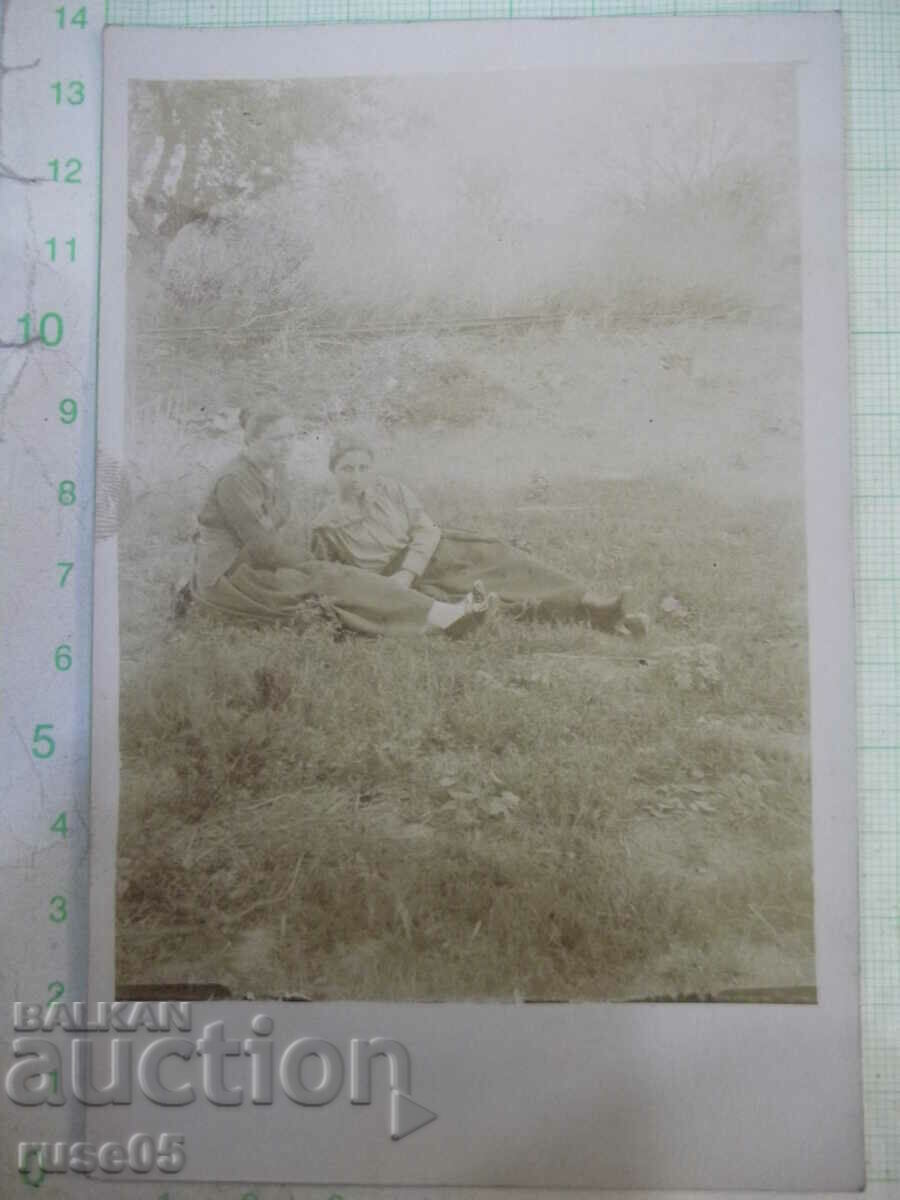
x: 541, y: 813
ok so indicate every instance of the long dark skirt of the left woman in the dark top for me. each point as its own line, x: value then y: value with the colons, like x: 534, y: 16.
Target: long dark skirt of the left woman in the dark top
x: 363, y: 602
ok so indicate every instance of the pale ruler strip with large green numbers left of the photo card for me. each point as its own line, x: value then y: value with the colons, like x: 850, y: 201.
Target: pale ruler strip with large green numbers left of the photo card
x: 50, y: 200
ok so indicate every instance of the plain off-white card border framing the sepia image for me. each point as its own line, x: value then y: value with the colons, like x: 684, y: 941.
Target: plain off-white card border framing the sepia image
x: 595, y: 1096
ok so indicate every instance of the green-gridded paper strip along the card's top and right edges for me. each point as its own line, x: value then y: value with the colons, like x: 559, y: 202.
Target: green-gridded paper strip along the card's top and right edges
x: 872, y: 44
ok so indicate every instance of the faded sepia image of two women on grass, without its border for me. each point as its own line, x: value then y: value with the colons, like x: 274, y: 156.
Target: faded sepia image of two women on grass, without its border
x: 461, y: 539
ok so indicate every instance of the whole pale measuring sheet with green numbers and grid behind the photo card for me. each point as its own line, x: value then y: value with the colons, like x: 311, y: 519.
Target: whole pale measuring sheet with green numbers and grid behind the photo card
x: 50, y: 169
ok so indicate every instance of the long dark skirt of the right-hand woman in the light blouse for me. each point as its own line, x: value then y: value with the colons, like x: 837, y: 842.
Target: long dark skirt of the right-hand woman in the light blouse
x: 525, y: 586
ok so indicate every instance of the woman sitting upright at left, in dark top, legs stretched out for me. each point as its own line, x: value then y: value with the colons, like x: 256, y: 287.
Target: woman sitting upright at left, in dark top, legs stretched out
x: 253, y: 559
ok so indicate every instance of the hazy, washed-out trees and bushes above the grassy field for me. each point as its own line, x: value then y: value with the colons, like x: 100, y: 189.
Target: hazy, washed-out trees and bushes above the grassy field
x: 345, y: 203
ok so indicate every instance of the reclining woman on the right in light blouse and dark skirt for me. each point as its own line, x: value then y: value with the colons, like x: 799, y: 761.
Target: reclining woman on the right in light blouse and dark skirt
x: 379, y: 526
